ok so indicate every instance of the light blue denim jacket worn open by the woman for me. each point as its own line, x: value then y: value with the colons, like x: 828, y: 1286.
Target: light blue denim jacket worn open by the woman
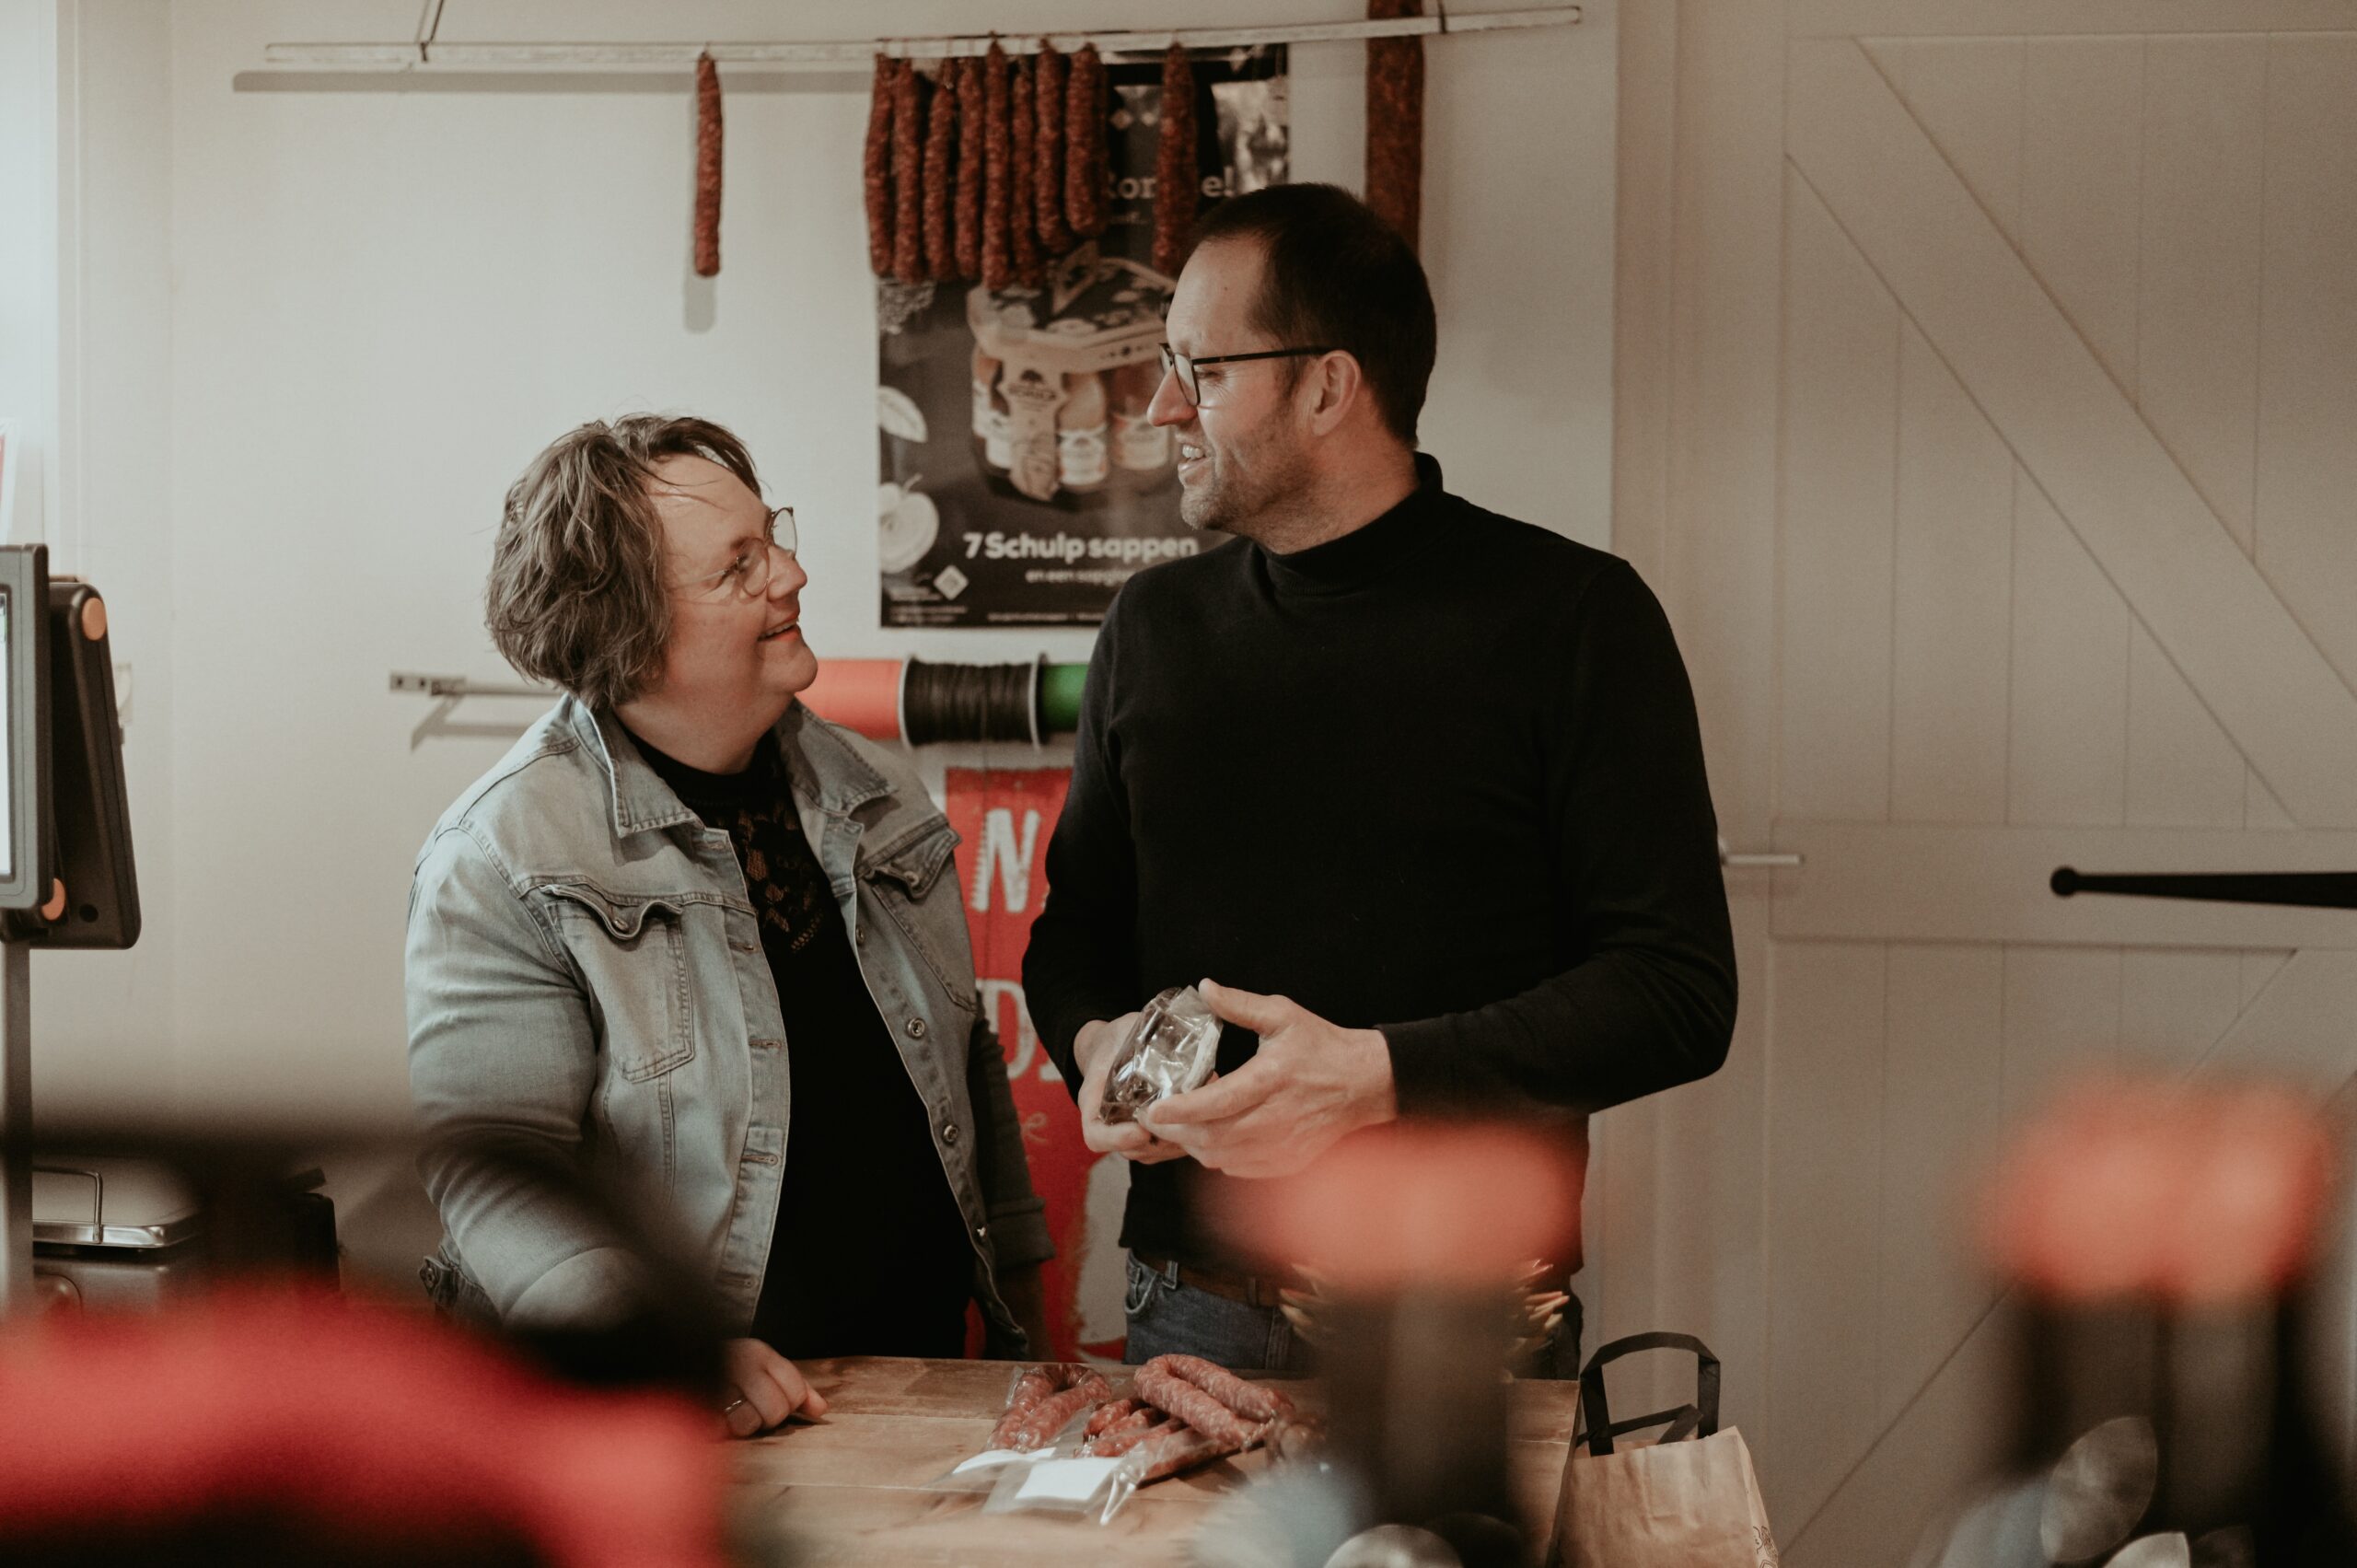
x: 588, y: 984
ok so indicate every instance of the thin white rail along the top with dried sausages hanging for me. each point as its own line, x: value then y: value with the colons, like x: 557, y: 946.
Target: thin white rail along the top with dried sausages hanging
x: 425, y: 53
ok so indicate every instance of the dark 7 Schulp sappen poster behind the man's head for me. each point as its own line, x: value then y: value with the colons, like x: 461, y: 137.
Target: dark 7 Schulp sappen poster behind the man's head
x: 1022, y: 482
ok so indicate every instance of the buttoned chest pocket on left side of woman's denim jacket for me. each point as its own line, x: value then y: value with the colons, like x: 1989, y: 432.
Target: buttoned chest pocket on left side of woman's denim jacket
x: 633, y: 954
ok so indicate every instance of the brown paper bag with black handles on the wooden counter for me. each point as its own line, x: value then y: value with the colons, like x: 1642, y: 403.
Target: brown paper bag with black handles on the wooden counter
x: 1679, y: 1501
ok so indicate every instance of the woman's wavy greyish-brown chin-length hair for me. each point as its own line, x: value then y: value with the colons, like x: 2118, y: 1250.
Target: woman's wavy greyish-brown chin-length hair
x: 576, y: 577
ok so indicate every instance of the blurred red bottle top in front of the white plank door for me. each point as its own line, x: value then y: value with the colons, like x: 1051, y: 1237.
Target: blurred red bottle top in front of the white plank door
x: 2163, y: 1192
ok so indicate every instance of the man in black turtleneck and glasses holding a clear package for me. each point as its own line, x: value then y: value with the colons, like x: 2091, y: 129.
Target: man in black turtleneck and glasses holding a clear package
x: 1415, y: 789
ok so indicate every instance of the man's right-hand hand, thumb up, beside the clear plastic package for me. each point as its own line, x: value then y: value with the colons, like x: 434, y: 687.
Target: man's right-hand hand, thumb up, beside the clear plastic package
x: 1309, y: 1086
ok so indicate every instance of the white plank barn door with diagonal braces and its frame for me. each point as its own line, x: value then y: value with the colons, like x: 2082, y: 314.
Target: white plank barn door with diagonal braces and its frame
x: 2002, y: 480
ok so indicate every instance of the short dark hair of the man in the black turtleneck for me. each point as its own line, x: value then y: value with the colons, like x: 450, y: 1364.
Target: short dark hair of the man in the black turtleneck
x: 1338, y: 275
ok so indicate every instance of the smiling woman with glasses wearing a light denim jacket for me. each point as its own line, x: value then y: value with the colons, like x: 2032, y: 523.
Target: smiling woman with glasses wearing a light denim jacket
x: 699, y: 940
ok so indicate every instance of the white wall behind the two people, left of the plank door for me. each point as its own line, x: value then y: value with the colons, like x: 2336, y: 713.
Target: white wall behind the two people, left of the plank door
x: 385, y: 301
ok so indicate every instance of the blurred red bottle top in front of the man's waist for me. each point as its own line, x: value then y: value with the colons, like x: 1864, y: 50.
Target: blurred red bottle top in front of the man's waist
x: 1425, y: 1204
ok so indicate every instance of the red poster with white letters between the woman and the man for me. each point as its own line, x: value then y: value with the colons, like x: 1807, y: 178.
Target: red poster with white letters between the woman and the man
x: 1005, y: 822
